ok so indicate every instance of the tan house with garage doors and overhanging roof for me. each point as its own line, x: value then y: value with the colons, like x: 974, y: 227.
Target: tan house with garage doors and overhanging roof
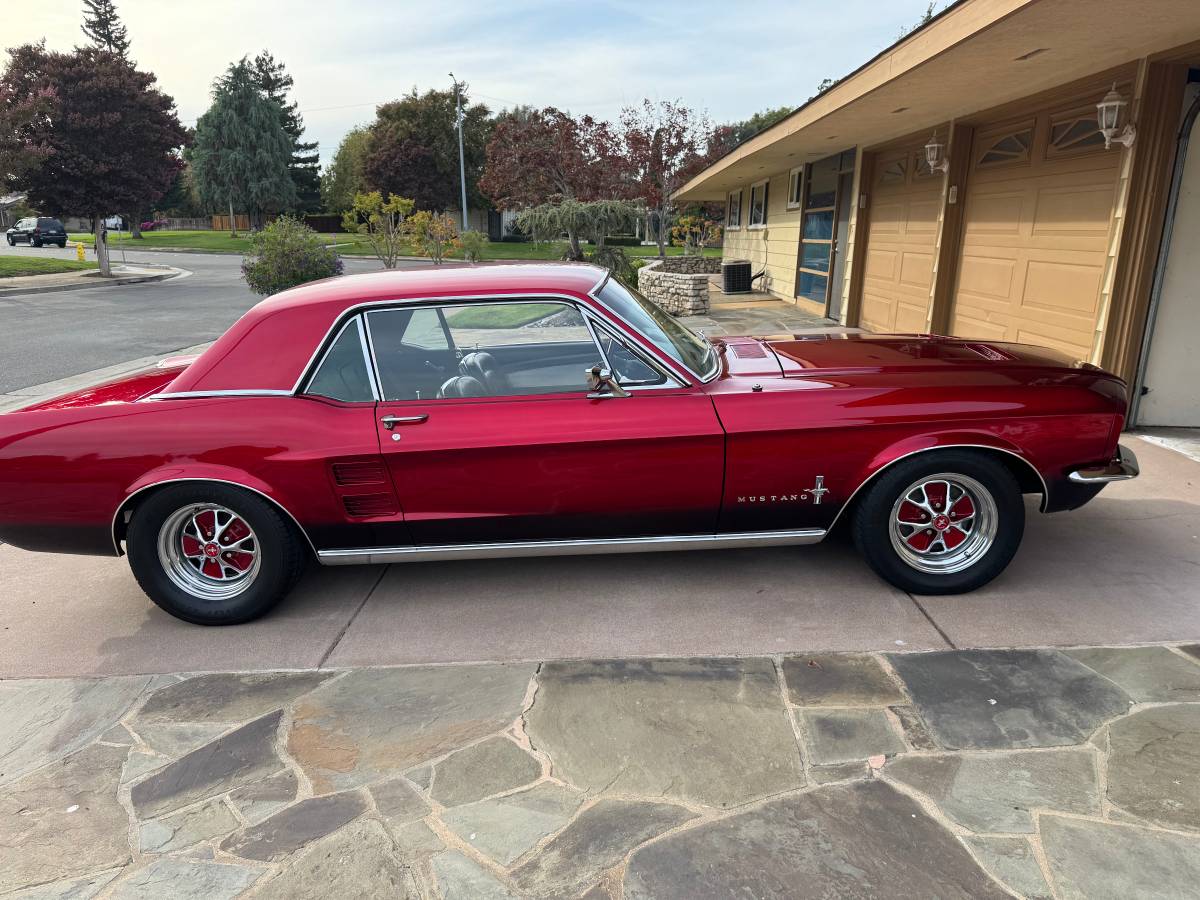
x: 1036, y: 223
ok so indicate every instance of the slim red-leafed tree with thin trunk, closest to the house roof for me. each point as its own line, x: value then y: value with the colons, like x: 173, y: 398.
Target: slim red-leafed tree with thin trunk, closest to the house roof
x: 664, y: 141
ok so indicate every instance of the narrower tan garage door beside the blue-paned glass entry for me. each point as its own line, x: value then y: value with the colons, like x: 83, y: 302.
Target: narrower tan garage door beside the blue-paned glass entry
x: 902, y: 244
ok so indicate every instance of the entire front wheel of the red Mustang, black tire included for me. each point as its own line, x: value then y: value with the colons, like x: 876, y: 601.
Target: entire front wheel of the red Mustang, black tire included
x: 970, y: 565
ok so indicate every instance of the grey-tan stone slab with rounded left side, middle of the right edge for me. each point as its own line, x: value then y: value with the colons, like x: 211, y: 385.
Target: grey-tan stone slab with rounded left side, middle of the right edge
x: 1155, y: 766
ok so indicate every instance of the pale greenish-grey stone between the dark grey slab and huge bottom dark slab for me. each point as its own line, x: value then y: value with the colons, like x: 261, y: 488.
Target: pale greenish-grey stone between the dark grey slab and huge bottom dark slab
x: 997, y: 793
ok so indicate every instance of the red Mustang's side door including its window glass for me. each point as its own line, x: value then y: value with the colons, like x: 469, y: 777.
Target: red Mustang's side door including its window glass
x: 490, y: 434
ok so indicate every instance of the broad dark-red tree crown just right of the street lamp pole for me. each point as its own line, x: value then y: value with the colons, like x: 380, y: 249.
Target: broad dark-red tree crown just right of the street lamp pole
x: 544, y: 155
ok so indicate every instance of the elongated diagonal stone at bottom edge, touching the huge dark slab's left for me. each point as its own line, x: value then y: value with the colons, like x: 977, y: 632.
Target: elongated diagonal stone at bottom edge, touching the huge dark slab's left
x: 598, y: 839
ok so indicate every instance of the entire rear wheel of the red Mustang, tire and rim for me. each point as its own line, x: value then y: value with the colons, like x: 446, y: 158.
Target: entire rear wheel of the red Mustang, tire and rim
x: 213, y: 554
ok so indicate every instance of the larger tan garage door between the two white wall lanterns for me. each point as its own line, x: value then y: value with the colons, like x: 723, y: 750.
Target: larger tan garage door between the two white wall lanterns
x: 1036, y: 232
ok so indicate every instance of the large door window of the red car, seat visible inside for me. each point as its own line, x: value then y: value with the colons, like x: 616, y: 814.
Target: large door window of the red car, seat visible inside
x: 503, y: 350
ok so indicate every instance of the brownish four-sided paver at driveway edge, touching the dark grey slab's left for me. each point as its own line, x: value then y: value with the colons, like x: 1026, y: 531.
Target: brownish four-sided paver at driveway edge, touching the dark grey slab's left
x: 839, y: 680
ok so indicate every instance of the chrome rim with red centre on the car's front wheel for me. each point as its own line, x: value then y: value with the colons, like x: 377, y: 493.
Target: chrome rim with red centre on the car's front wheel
x: 944, y: 524
